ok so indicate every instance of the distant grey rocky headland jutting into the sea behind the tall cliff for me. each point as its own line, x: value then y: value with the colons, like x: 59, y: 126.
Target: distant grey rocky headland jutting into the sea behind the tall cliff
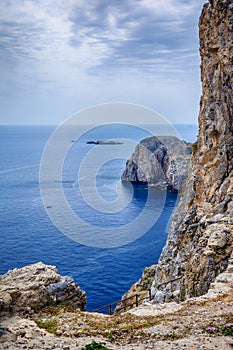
x: 162, y: 160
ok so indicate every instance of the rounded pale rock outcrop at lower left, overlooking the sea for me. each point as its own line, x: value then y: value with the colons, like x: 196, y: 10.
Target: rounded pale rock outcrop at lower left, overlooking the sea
x: 28, y: 289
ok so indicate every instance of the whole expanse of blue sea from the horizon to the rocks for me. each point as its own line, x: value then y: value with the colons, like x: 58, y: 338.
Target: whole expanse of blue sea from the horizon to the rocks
x: 30, y: 231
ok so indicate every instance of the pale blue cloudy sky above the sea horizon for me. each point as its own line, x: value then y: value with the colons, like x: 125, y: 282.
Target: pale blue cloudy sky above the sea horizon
x: 59, y: 57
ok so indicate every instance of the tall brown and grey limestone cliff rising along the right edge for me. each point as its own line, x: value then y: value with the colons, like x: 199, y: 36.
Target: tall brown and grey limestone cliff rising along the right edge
x: 200, y: 241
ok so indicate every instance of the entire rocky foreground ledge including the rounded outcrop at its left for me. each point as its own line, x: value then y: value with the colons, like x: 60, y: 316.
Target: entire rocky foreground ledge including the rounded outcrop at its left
x: 32, y: 318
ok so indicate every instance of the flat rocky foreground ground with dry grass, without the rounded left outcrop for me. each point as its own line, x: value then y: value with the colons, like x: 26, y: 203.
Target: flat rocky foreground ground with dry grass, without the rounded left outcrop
x: 204, y: 322
